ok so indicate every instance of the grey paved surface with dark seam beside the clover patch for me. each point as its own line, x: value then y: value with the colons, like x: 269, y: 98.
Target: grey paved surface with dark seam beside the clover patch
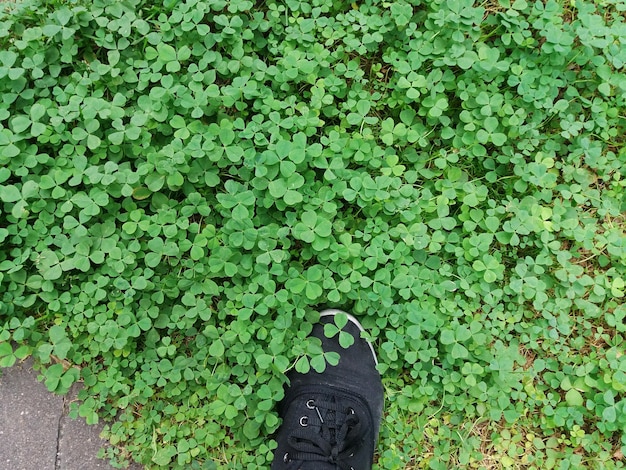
x: 35, y: 430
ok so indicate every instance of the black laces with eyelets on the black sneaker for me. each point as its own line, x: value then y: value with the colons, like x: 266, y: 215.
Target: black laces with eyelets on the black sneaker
x: 331, y: 433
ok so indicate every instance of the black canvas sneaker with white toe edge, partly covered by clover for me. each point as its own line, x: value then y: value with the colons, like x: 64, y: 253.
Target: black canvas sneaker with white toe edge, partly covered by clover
x: 331, y: 420
